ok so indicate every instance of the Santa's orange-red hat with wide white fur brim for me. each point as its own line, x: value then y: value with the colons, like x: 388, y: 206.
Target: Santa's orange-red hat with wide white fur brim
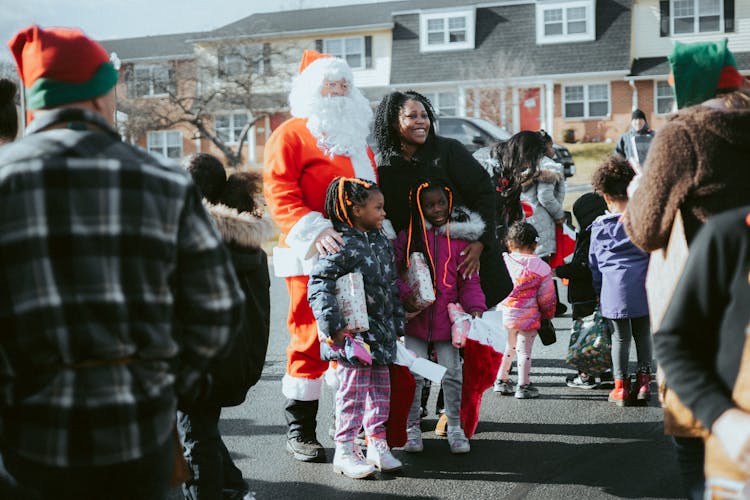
x: 314, y: 68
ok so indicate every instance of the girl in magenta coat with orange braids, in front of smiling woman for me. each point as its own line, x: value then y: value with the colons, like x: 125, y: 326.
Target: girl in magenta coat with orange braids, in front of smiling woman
x: 441, y: 233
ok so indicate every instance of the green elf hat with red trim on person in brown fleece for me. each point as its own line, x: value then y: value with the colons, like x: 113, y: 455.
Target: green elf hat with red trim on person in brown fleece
x: 699, y: 70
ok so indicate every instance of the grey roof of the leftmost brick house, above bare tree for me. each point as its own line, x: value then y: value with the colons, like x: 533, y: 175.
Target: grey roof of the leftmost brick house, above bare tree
x: 161, y: 47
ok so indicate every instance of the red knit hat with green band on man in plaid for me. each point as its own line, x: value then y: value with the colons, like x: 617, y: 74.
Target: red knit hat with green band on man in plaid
x: 59, y: 66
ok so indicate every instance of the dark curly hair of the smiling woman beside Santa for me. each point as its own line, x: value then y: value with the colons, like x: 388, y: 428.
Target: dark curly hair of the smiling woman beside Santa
x: 386, y: 134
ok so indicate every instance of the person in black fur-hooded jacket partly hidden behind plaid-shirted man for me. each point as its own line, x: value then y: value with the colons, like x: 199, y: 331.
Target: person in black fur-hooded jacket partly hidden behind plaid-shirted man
x: 231, y: 202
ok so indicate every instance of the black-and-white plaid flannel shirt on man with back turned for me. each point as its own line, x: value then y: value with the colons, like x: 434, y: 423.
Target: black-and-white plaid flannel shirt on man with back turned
x: 104, y: 250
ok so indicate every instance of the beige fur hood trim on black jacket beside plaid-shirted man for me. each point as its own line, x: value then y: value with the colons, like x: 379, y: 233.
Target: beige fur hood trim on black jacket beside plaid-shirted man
x: 241, y: 228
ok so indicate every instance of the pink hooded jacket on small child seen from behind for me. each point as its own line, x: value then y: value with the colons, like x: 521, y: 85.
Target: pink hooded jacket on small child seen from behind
x: 533, y: 296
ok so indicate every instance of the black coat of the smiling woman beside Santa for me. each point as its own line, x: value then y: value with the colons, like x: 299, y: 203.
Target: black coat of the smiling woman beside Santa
x: 447, y: 160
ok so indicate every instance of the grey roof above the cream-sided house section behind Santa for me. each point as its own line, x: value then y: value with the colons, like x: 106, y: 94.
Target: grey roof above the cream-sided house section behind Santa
x: 328, y: 19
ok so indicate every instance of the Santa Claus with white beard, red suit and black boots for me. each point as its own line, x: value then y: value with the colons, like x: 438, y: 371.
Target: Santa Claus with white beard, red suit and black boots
x: 325, y: 138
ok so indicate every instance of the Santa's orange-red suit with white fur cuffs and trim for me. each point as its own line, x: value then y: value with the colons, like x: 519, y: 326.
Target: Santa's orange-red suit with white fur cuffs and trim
x: 295, y: 178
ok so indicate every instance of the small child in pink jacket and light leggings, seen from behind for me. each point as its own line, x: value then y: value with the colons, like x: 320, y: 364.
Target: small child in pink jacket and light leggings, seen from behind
x: 532, y: 299
